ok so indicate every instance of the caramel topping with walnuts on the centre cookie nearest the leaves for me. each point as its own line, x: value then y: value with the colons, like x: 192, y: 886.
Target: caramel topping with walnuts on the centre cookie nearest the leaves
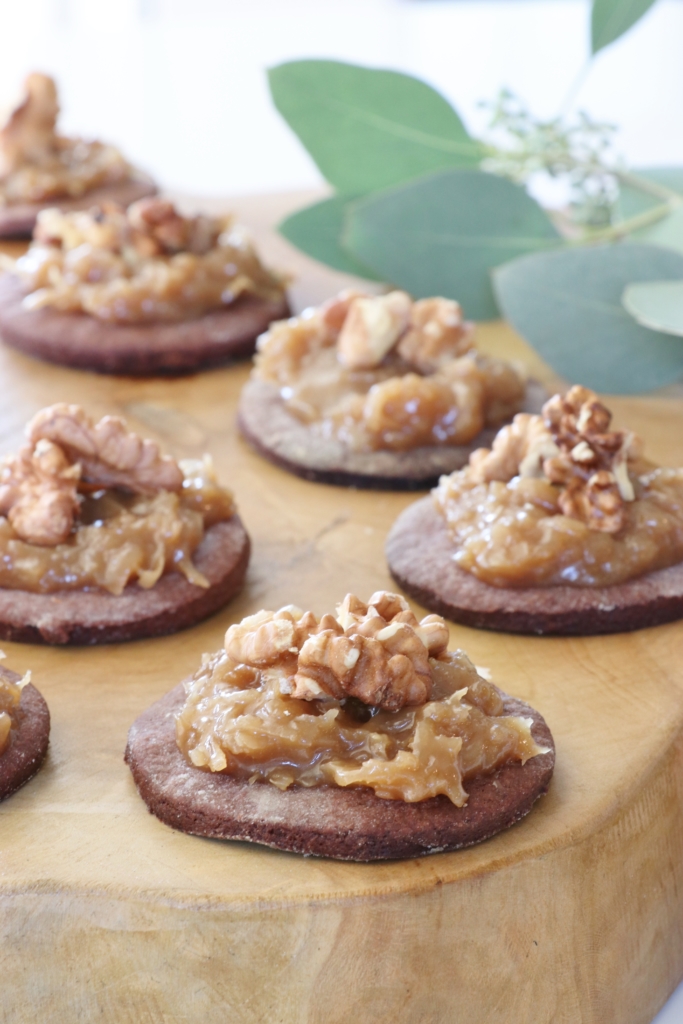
x: 388, y: 373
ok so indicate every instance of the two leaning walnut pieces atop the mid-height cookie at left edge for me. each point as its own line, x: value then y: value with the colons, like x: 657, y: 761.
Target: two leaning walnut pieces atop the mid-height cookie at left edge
x: 67, y: 451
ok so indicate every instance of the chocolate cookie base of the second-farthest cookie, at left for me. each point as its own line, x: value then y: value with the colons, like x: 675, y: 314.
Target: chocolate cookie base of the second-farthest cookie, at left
x: 134, y: 351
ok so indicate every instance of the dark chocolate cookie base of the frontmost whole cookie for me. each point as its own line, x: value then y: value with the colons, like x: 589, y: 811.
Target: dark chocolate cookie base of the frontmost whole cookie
x: 329, y: 822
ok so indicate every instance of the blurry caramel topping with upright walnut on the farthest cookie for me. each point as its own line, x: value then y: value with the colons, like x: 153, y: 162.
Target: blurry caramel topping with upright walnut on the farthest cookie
x: 37, y: 164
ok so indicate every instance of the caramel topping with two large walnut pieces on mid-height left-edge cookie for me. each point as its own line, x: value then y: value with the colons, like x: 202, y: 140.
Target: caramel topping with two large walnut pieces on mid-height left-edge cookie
x: 88, y: 504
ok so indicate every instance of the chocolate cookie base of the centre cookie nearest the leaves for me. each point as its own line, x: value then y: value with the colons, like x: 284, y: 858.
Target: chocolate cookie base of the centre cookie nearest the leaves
x: 288, y: 443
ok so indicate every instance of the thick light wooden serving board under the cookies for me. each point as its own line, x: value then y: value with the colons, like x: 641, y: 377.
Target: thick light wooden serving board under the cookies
x: 576, y: 915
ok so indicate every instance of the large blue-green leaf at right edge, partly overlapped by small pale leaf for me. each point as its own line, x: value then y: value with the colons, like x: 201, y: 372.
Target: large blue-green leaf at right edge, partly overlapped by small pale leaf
x: 569, y: 307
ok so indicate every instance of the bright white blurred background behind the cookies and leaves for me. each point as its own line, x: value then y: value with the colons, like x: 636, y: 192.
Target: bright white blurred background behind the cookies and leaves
x: 181, y: 84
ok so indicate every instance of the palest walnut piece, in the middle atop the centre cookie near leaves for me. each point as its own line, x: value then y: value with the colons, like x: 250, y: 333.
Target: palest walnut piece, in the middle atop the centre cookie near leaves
x: 372, y: 328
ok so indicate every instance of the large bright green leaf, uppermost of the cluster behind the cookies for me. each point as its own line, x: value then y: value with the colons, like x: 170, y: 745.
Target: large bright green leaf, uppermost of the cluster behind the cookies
x: 368, y: 130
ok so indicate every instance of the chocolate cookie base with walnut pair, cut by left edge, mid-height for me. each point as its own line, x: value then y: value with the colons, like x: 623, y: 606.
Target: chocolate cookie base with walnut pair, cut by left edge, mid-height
x: 90, y: 617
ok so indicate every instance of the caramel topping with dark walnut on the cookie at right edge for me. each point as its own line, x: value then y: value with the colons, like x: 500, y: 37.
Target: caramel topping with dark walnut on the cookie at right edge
x: 563, y: 499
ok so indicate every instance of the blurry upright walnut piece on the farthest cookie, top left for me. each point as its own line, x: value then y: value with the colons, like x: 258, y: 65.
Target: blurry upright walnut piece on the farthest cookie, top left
x: 28, y: 136
